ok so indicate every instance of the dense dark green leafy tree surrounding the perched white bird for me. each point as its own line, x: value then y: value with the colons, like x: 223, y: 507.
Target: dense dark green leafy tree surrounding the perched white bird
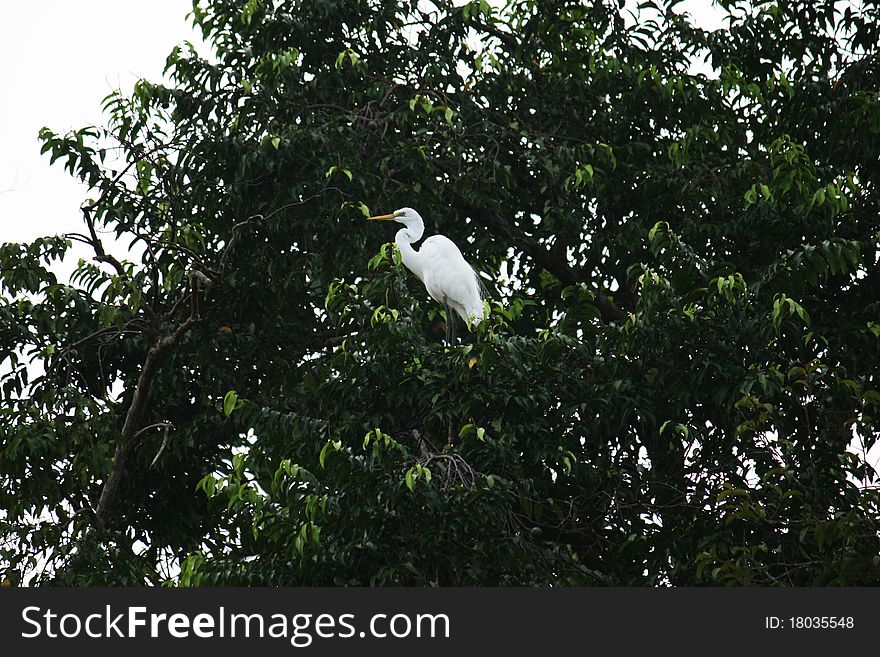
x: 677, y: 382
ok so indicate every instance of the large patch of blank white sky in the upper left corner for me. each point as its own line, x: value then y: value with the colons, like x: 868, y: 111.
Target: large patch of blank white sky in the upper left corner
x: 60, y: 58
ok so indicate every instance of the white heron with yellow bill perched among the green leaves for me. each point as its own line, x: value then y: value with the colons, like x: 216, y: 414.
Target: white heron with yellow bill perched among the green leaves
x: 447, y: 276
